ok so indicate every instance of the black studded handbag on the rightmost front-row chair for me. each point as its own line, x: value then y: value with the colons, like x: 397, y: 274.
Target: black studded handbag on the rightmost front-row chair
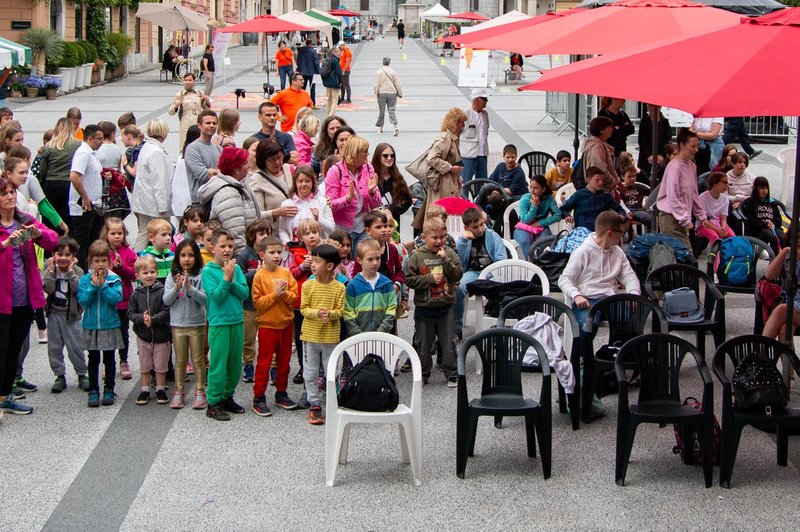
x: 758, y: 386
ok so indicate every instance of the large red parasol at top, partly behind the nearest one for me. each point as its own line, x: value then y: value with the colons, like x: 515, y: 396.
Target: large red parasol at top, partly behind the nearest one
x: 618, y: 26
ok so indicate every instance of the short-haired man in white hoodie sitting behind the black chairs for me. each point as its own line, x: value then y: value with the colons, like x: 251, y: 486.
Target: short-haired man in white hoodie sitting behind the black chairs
x: 597, y: 268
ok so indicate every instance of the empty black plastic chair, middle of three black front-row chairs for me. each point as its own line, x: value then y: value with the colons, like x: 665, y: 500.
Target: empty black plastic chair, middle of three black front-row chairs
x: 658, y: 357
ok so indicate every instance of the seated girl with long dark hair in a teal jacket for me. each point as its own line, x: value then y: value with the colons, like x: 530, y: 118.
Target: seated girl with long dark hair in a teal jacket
x: 537, y: 210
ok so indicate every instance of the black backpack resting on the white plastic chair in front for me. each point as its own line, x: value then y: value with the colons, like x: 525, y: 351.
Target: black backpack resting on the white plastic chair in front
x: 370, y: 387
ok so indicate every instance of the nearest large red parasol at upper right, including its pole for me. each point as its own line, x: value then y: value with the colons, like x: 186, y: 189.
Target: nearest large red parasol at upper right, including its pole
x: 696, y: 74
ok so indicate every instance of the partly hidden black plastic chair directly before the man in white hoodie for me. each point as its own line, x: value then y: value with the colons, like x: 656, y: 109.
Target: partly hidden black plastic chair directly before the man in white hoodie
x: 627, y: 316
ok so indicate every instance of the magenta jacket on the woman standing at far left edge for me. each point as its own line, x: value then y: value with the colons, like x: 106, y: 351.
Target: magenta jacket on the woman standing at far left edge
x: 47, y: 241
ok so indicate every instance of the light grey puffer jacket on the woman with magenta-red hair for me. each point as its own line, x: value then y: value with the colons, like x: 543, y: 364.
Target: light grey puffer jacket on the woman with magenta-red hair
x: 232, y: 203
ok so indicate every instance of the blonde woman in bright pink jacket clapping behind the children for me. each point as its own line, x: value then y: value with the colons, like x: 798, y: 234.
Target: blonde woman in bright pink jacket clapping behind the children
x: 351, y: 185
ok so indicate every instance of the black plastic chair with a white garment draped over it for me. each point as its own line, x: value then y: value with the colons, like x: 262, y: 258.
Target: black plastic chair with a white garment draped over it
x: 527, y: 306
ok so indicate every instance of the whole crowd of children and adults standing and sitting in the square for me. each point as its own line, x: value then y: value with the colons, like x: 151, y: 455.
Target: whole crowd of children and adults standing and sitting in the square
x: 290, y: 241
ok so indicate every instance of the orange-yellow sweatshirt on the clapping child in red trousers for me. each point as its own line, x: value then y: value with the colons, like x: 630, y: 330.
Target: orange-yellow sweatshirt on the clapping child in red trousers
x: 273, y: 311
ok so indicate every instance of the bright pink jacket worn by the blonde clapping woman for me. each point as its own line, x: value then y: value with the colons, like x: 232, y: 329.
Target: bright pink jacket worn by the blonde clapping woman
x: 337, y: 184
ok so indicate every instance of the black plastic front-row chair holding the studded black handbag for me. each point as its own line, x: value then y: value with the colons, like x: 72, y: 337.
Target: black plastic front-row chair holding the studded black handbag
x: 734, y: 420
